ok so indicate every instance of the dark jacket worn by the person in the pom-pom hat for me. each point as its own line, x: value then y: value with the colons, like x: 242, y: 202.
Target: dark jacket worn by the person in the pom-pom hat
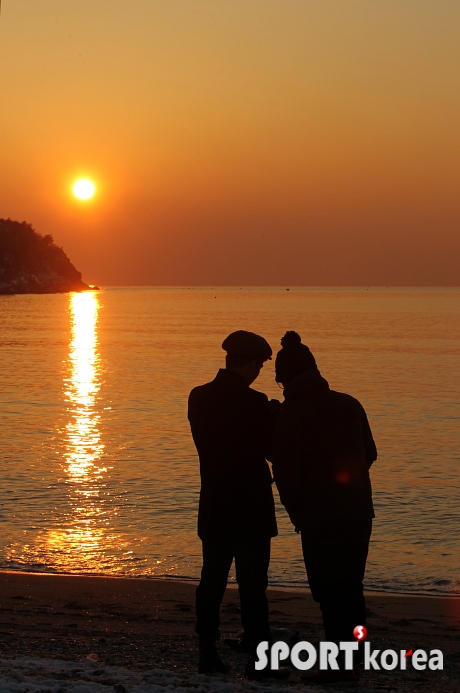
x: 322, y: 450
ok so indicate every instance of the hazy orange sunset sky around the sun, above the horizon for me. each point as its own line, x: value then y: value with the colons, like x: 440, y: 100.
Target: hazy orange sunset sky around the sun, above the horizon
x: 297, y: 142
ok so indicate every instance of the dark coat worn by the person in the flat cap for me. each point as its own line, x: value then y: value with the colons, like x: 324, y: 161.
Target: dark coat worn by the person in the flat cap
x: 231, y: 426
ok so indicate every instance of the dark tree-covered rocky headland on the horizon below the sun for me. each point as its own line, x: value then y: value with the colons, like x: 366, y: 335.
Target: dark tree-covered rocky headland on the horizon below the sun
x: 33, y: 264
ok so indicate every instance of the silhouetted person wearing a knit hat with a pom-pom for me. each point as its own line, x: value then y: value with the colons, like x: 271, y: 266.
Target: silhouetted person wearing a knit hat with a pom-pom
x: 322, y: 450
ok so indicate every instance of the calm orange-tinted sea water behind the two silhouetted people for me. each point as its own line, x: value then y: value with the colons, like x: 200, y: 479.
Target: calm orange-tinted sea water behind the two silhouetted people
x: 98, y: 470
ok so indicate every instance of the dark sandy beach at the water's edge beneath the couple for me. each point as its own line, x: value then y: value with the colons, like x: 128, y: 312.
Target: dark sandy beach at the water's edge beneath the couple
x: 139, y: 625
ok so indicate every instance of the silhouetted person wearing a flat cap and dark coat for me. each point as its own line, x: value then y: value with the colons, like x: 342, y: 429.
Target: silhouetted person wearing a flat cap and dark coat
x: 232, y: 426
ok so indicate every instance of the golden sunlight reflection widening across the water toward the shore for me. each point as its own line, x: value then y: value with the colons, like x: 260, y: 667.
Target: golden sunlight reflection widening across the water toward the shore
x: 87, y: 527
